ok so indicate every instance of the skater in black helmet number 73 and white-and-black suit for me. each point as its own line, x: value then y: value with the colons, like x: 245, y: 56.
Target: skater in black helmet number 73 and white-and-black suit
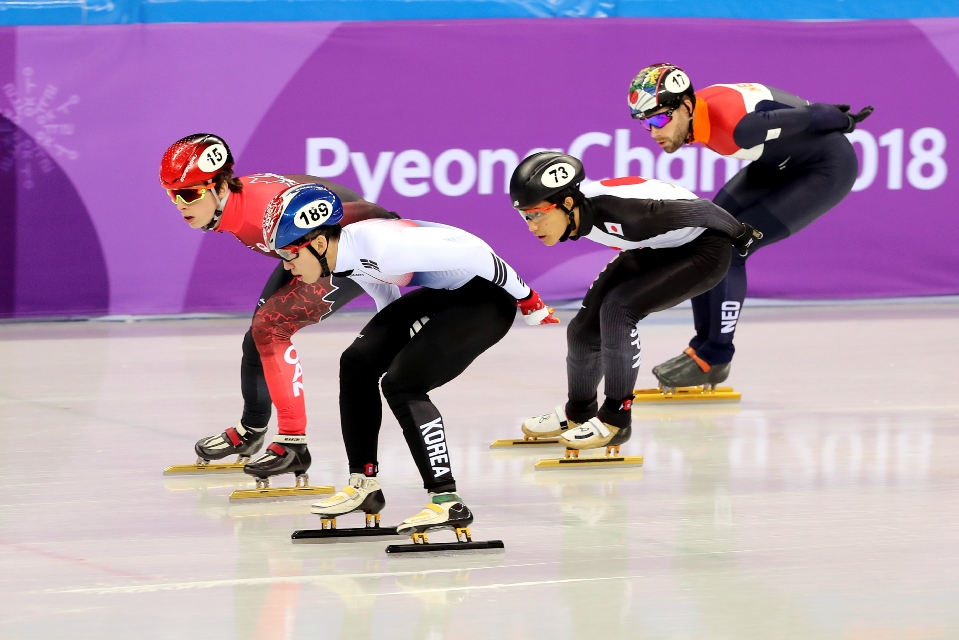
x: 673, y: 246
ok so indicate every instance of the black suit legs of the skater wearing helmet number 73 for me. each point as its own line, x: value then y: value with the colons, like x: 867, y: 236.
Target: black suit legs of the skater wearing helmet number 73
x: 603, y: 338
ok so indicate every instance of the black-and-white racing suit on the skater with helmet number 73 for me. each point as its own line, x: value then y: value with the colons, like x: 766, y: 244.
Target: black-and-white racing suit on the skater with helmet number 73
x: 675, y: 246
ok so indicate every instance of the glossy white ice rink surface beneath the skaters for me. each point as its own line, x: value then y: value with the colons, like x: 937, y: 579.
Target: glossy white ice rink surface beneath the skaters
x: 825, y: 505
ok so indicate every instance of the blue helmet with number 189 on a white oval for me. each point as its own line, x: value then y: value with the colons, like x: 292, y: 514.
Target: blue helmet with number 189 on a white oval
x: 295, y: 212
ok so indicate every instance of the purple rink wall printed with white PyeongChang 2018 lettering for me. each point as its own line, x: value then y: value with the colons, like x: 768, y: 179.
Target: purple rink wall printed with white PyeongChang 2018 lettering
x: 411, y: 114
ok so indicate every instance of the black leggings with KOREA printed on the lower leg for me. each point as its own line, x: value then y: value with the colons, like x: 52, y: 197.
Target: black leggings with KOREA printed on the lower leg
x: 421, y: 341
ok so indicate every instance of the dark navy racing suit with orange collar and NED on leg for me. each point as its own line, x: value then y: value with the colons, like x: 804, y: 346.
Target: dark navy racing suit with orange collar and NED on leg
x: 802, y: 166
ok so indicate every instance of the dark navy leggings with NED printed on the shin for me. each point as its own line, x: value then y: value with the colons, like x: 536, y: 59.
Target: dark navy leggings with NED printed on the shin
x: 778, y: 203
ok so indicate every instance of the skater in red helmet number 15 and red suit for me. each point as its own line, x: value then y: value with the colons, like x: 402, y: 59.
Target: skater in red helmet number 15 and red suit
x: 197, y: 173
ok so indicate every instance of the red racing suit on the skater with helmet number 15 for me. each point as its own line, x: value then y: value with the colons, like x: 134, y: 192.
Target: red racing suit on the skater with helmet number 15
x: 285, y: 309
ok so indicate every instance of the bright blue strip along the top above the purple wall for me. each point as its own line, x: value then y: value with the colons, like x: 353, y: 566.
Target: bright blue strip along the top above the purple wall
x: 37, y: 12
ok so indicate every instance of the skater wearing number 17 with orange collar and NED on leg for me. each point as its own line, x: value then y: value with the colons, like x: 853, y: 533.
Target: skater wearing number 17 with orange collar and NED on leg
x: 802, y: 166
